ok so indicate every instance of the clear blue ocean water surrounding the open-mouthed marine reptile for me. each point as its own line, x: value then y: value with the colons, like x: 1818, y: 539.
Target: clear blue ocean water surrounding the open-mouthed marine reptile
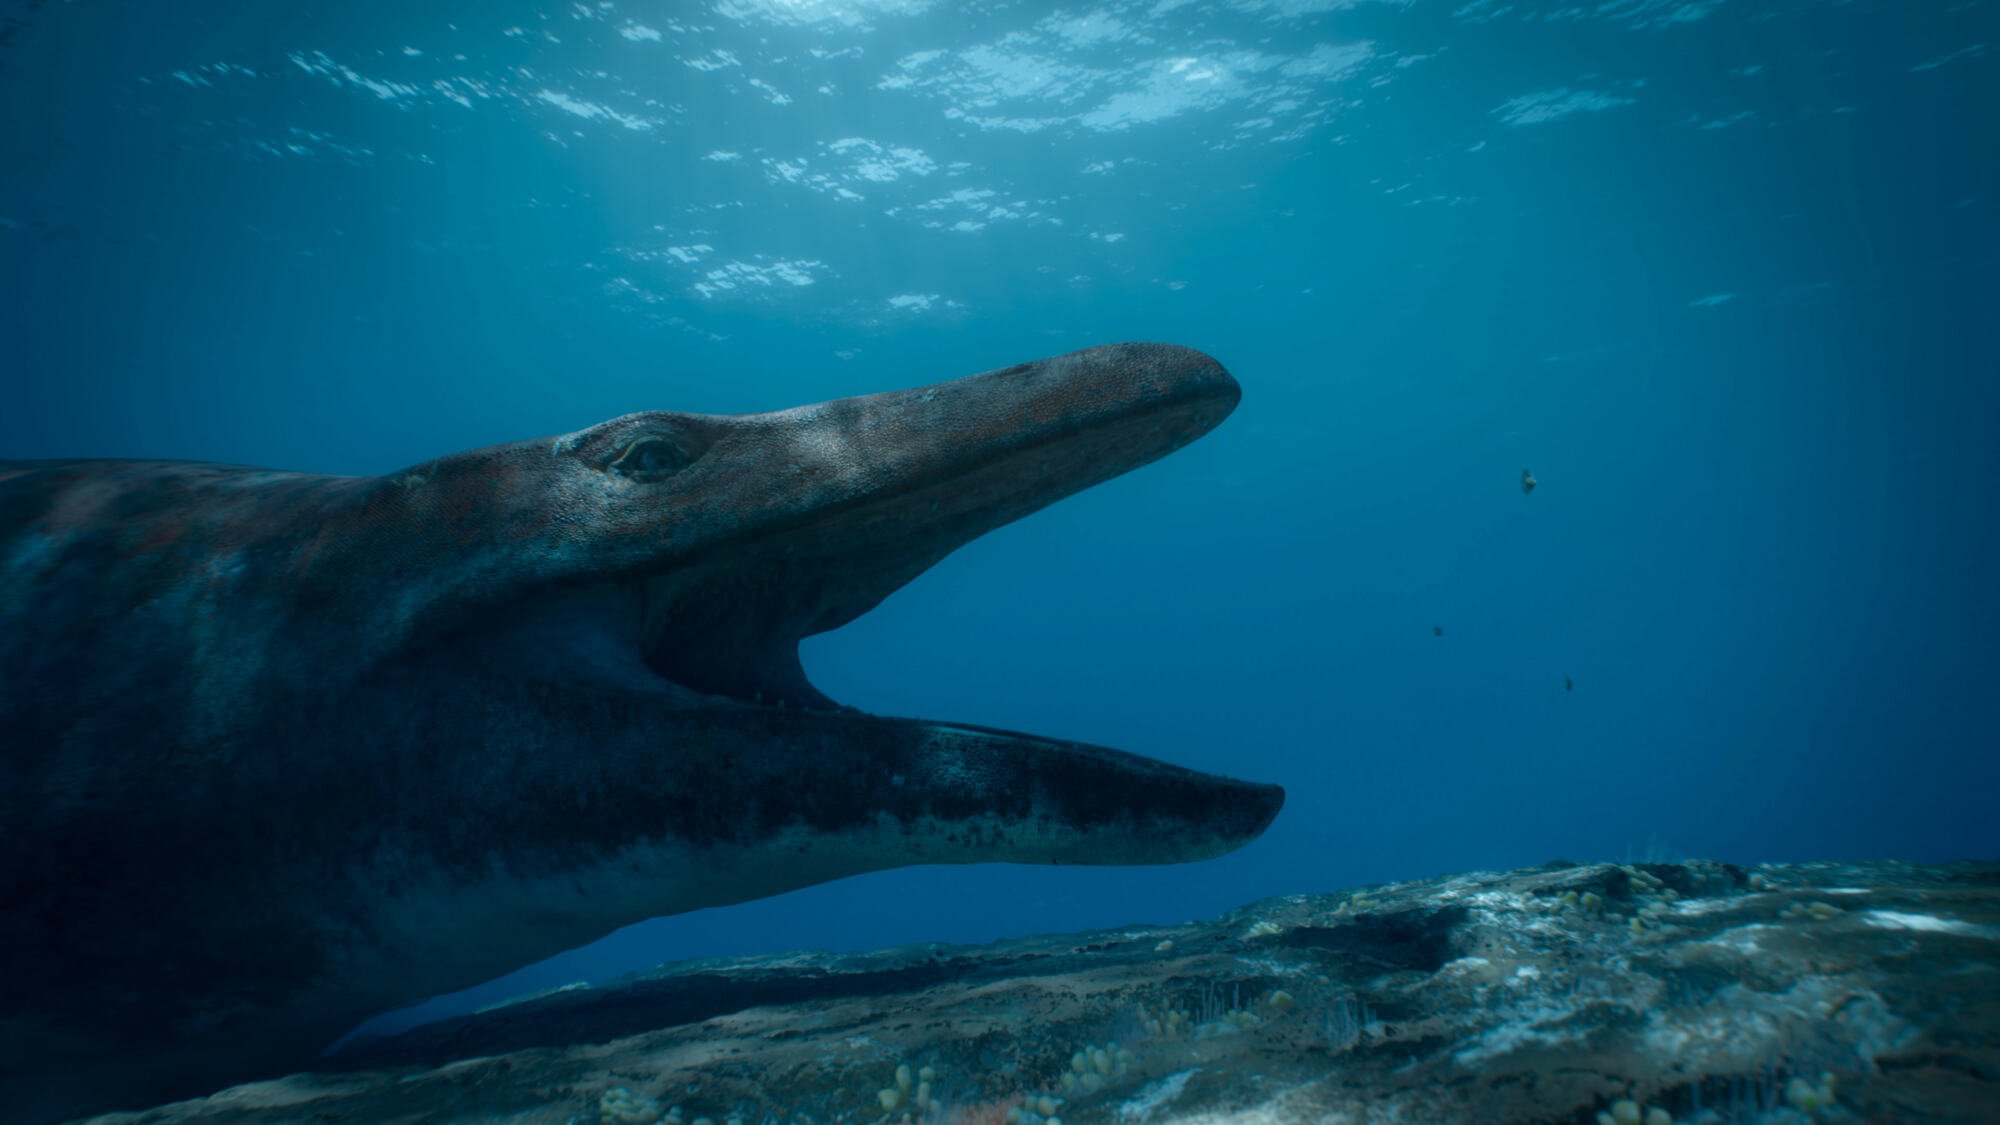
x: 1723, y: 273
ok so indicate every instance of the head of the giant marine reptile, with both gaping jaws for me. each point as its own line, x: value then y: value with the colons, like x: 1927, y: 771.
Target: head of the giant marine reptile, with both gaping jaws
x: 687, y: 555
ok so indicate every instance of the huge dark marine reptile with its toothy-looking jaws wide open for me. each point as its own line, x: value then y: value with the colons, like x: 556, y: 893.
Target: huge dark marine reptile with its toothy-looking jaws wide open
x: 283, y: 752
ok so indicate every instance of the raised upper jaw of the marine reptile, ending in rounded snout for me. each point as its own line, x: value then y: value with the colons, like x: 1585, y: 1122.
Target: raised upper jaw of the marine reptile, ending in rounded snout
x: 911, y: 473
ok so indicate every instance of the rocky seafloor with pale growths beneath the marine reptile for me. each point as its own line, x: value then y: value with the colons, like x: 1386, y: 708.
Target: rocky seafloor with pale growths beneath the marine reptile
x: 1625, y: 994
